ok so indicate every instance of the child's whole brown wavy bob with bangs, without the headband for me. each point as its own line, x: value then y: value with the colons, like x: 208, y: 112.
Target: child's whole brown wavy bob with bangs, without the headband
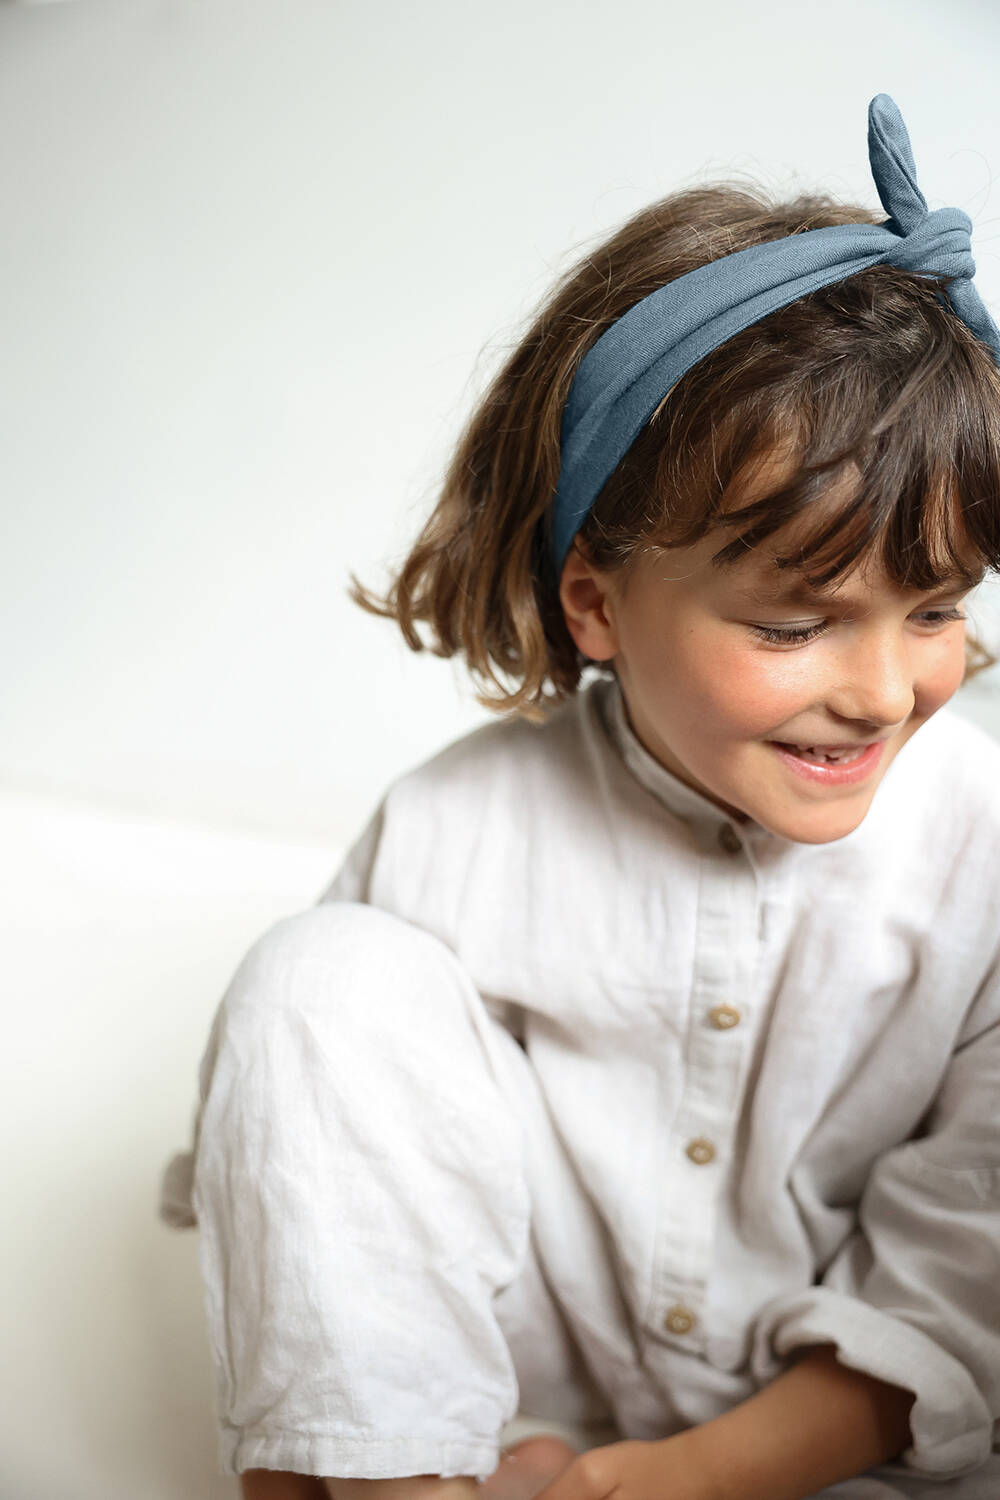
x: 875, y: 379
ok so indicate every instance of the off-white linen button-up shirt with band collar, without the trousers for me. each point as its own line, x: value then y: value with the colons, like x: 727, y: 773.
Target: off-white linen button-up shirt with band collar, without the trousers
x: 774, y: 1066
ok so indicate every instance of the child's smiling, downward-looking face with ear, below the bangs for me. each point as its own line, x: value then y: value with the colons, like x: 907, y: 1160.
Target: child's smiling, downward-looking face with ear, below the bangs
x: 716, y: 701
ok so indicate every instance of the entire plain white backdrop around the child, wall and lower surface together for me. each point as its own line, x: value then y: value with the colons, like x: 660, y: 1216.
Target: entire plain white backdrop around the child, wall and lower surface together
x: 257, y: 265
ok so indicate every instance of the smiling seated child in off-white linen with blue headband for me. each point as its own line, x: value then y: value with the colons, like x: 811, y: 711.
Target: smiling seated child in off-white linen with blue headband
x: 639, y: 1070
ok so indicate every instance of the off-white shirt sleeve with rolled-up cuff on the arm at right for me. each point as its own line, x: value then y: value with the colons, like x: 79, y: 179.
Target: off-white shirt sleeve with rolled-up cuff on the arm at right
x: 914, y: 1295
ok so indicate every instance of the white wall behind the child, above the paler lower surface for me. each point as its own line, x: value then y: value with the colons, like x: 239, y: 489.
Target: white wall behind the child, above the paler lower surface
x: 257, y: 263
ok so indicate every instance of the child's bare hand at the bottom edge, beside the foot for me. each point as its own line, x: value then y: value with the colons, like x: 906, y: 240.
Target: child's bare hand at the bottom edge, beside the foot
x: 663, y: 1471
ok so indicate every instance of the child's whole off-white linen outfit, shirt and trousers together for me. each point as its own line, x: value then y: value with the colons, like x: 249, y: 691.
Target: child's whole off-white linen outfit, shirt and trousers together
x: 575, y: 1099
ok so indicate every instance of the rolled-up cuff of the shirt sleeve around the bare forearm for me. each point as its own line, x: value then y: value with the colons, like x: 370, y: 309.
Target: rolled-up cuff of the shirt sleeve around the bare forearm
x: 950, y: 1421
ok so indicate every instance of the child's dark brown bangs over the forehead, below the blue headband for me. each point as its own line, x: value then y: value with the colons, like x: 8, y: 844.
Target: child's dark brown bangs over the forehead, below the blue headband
x: 911, y: 482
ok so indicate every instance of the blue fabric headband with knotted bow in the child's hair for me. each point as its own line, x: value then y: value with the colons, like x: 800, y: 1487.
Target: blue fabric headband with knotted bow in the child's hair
x: 627, y: 373
